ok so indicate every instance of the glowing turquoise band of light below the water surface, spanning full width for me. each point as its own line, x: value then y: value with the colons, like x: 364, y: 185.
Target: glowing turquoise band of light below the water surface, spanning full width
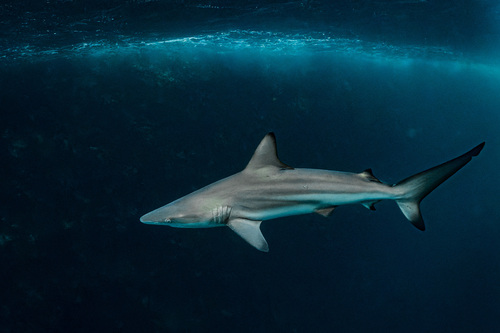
x: 255, y: 44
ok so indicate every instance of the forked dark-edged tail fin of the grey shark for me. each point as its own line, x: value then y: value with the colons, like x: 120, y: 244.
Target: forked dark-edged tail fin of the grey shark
x: 416, y: 187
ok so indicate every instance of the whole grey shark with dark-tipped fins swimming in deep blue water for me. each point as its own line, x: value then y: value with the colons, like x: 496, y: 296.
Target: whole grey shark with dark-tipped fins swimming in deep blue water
x: 267, y: 189
